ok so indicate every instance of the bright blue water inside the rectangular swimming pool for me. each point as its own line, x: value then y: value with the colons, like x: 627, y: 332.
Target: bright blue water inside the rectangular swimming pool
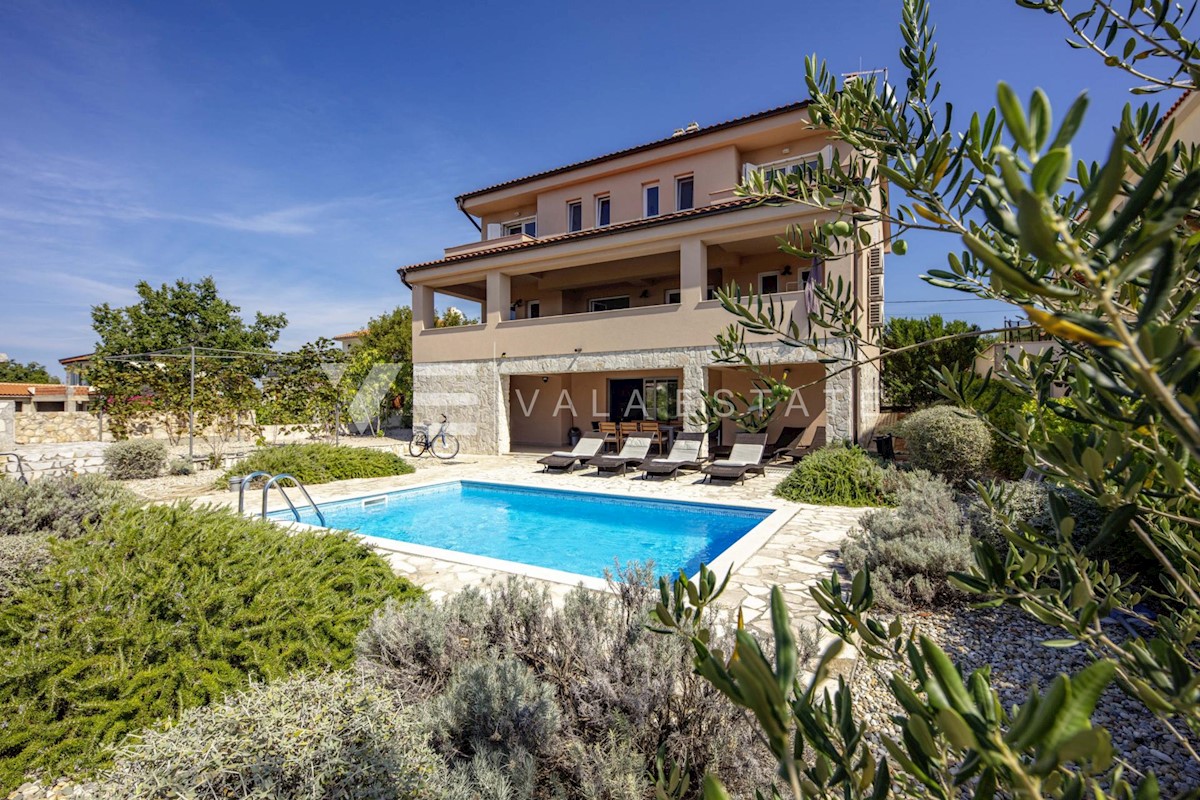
x: 573, y: 532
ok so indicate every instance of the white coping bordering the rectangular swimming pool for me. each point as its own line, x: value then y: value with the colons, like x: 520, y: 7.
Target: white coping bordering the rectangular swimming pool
x: 727, y: 562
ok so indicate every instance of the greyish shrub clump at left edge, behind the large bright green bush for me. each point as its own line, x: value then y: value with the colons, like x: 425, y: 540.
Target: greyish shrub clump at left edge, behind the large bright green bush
x: 31, y: 516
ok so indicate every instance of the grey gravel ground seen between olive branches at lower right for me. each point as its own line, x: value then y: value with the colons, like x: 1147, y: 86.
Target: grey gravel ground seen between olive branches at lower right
x: 1012, y: 643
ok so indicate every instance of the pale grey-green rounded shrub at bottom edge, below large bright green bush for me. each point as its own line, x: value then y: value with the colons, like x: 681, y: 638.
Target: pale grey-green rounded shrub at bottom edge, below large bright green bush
x: 305, y: 737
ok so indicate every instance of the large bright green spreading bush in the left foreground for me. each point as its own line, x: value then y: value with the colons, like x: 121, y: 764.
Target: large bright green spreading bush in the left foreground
x: 163, y: 609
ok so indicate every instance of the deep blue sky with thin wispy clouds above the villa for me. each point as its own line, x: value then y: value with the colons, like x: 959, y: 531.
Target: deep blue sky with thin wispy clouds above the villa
x: 301, y: 152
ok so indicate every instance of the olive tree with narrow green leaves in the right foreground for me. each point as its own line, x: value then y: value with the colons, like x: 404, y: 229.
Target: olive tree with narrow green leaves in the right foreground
x: 1101, y: 256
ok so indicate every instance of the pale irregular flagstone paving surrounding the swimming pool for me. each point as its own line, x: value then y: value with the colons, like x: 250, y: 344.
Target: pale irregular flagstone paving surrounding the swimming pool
x: 796, y: 557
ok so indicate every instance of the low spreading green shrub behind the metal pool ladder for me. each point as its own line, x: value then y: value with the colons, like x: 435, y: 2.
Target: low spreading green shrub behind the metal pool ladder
x: 320, y: 464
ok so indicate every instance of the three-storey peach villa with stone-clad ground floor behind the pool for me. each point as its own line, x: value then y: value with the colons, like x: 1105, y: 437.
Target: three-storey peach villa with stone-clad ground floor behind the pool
x: 597, y: 286
